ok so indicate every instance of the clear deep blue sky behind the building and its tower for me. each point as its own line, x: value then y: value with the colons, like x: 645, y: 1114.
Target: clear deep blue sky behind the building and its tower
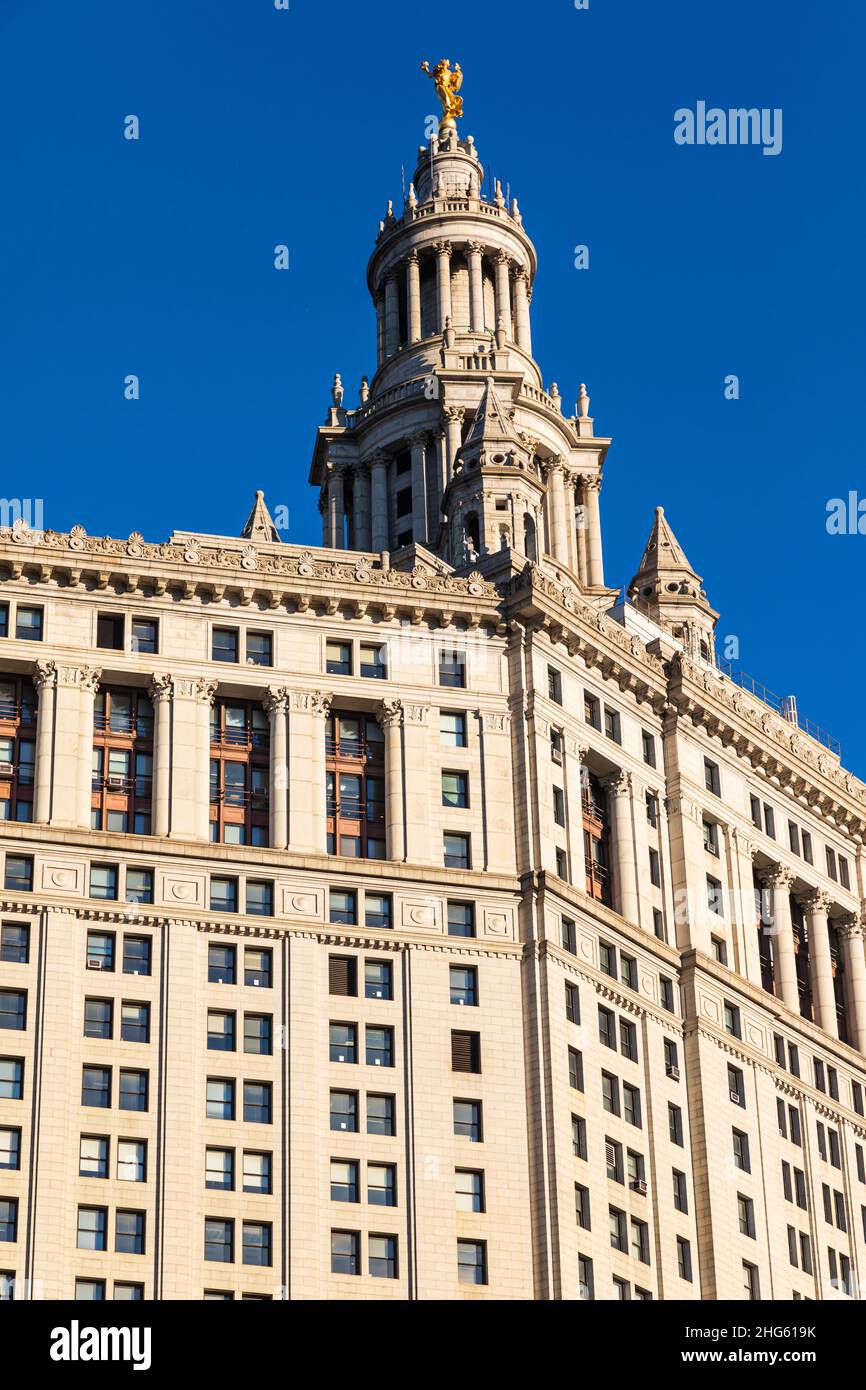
x: 261, y: 127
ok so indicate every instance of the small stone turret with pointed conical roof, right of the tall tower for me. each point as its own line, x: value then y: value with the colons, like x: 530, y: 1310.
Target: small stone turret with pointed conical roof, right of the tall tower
x: 671, y: 593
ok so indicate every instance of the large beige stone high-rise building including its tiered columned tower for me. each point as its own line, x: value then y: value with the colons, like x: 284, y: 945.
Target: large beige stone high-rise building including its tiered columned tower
x: 412, y: 918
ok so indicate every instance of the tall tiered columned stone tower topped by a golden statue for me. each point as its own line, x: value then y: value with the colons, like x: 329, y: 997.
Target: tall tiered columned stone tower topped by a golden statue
x: 457, y: 448
